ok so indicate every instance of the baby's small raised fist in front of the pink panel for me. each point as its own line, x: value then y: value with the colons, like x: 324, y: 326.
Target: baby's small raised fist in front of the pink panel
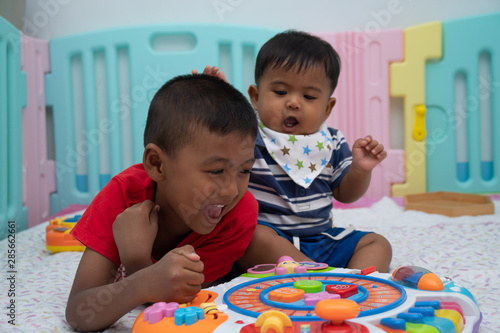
x: 367, y: 153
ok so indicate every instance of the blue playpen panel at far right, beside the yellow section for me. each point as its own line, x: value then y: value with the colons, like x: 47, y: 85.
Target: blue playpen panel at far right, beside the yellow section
x: 463, y: 108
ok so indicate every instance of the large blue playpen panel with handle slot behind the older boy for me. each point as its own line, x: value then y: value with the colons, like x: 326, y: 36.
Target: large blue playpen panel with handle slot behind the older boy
x: 101, y: 84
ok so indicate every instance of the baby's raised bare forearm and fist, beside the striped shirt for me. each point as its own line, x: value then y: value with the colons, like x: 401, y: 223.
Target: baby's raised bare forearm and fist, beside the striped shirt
x: 366, y: 155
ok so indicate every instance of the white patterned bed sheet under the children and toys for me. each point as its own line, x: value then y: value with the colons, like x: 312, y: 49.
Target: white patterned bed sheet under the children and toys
x: 466, y: 249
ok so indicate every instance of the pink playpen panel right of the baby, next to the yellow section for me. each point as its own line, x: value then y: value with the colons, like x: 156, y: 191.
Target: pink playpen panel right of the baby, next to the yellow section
x: 363, y: 96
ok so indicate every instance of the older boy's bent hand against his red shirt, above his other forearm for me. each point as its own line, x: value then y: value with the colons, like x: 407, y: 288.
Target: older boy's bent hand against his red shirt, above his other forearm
x: 135, y: 231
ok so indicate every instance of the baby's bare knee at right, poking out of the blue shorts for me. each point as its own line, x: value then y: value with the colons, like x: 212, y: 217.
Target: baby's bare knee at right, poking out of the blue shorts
x: 372, y: 250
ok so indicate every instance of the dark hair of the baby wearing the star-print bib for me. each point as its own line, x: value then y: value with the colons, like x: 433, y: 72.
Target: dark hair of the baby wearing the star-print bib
x: 298, y: 49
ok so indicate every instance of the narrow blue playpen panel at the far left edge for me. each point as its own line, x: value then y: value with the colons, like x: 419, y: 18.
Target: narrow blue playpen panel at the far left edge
x: 12, y: 100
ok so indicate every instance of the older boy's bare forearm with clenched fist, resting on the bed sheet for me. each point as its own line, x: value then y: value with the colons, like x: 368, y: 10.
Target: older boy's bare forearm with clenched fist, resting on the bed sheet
x: 95, y: 301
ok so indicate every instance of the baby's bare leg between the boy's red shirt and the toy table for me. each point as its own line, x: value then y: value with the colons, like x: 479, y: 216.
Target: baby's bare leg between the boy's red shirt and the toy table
x: 266, y: 247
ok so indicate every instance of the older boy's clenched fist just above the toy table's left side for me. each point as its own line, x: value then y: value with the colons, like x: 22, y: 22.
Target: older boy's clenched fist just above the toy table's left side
x: 177, y: 277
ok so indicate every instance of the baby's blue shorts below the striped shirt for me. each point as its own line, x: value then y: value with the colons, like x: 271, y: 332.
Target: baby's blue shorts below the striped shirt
x: 323, y: 249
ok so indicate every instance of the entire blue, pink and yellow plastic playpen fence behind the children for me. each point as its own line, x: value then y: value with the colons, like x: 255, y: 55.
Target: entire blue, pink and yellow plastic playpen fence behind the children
x: 92, y: 92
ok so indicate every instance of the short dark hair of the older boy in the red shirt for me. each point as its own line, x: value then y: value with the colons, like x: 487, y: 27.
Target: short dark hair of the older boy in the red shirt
x: 186, y: 103
